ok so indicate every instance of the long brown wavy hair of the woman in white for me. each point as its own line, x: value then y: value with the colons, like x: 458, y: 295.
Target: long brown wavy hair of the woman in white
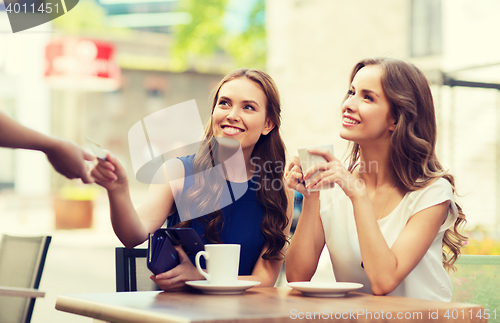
x: 413, y: 142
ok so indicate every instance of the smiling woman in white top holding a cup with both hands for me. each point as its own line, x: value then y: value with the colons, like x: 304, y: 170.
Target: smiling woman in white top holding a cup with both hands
x: 390, y: 222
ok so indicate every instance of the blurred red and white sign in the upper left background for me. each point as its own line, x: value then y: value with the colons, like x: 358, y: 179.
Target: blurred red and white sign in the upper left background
x: 82, y: 64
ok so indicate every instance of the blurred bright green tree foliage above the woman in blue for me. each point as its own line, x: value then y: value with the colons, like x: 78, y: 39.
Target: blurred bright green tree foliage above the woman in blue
x: 206, y: 35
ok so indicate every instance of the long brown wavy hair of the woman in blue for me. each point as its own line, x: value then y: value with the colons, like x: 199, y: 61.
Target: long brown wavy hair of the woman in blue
x: 207, y: 190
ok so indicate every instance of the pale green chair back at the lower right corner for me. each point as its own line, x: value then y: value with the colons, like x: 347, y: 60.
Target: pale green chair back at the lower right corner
x: 477, y: 281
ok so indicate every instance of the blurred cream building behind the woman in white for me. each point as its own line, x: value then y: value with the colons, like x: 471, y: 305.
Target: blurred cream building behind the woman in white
x: 313, y: 46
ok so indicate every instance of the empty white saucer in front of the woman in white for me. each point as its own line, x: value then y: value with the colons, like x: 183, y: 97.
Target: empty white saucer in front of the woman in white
x: 326, y: 289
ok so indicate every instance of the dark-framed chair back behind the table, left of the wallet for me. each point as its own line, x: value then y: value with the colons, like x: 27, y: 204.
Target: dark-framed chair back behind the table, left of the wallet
x: 132, y: 273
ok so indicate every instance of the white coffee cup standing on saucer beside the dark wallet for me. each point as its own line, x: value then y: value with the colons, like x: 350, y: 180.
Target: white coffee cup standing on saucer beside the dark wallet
x: 222, y: 263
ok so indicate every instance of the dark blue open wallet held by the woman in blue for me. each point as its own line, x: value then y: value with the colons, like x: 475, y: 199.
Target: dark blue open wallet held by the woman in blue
x: 162, y: 255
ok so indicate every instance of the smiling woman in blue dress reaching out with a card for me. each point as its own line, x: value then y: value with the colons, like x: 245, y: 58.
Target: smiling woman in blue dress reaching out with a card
x: 245, y: 107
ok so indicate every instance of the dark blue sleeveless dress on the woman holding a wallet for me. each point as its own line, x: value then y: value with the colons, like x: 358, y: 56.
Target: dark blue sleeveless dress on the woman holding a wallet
x: 242, y: 221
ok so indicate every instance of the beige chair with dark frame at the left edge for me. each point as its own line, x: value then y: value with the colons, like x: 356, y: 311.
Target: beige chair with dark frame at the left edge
x: 21, y: 264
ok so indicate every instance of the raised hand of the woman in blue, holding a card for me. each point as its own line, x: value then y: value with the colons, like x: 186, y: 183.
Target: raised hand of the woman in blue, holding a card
x: 109, y: 173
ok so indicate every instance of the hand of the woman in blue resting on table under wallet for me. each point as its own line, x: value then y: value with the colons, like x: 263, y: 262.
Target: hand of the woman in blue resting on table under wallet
x: 175, y: 279
